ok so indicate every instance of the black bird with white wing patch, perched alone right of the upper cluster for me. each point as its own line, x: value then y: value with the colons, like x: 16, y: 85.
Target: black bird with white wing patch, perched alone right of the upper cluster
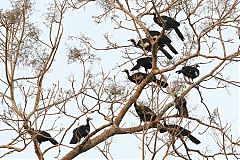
x: 189, y: 71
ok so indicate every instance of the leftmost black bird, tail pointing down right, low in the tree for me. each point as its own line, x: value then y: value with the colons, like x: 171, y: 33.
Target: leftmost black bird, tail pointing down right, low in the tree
x: 42, y: 136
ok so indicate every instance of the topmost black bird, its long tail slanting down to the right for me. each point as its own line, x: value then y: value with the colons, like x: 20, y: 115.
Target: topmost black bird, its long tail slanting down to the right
x: 169, y: 23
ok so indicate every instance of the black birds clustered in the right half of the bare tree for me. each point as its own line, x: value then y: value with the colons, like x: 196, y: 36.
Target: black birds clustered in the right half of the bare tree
x: 145, y: 113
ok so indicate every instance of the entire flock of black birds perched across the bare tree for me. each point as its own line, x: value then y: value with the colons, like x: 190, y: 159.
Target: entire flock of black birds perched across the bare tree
x: 145, y: 113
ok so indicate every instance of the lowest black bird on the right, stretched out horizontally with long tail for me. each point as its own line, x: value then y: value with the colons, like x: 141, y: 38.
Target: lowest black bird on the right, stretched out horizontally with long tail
x: 178, y: 131
